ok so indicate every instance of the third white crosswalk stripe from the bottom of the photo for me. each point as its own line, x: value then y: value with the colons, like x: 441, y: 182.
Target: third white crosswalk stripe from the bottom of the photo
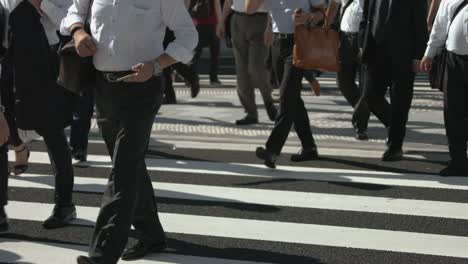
x: 448, y: 210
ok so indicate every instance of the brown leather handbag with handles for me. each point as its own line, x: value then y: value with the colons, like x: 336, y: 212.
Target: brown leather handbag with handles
x: 316, y: 48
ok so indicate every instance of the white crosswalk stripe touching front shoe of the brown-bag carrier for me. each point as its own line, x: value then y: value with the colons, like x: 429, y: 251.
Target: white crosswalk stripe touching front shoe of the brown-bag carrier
x: 283, y: 172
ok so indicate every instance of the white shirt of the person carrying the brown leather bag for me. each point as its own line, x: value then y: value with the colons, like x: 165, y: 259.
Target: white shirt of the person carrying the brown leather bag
x: 282, y: 12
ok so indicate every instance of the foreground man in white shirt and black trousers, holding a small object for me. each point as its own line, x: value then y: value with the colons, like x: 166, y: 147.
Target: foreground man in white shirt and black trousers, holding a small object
x: 127, y: 44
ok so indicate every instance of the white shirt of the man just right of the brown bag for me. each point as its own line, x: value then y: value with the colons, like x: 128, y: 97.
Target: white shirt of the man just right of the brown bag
x: 353, y: 15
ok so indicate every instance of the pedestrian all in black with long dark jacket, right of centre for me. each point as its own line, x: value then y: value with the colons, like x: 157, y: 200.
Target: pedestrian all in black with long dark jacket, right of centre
x: 393, y: 34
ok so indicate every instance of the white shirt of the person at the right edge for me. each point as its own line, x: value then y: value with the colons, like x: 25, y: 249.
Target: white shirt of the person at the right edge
x: 456, y: 38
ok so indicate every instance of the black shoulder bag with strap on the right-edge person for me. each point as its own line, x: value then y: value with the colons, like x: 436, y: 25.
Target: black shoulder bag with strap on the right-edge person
x: 437, y: 72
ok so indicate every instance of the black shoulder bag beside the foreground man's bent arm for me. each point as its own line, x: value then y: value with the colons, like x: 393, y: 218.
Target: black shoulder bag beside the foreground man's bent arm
x: 76, y: 73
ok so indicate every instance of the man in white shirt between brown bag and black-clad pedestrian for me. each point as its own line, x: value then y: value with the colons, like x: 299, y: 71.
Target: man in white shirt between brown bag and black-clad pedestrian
x: 349, y: 18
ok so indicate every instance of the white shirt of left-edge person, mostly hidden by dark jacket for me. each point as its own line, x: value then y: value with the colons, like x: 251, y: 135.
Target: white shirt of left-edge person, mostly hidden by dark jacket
x: 53, y: 11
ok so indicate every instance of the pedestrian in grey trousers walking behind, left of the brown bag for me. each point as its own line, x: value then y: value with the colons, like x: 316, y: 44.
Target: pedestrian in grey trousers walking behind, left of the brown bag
x: 250, y: 52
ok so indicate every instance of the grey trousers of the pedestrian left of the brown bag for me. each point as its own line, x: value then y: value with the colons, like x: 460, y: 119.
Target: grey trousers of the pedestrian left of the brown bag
x: 250, y: 52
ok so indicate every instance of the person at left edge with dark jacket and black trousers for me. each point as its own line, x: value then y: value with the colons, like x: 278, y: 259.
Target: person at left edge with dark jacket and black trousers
x: 40, y: 104
